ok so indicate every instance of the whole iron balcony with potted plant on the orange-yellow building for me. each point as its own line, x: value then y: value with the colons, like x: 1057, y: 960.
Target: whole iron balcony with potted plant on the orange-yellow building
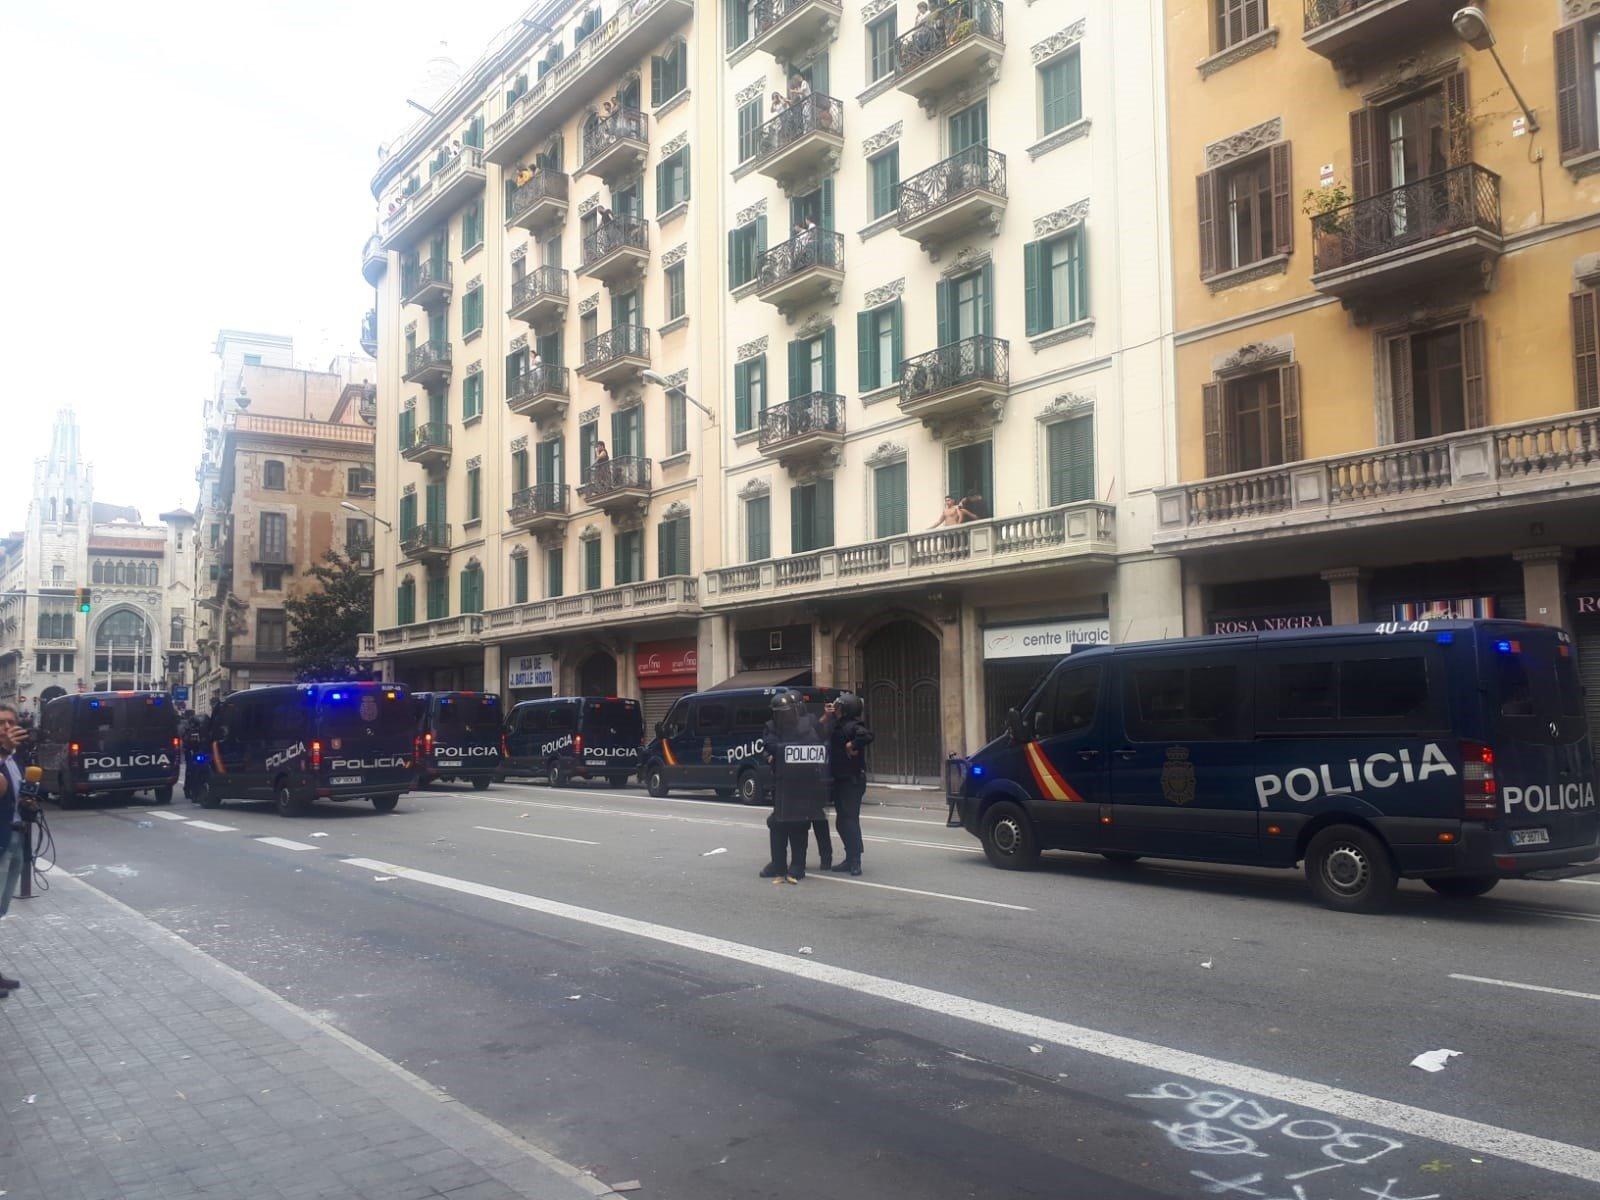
x: 1415, y: 234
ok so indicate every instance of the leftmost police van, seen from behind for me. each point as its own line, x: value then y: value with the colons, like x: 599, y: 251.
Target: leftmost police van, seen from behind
x: 110, y: 743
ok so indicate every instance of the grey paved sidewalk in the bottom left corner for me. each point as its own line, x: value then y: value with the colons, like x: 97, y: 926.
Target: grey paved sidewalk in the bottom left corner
x: 137, y: 1068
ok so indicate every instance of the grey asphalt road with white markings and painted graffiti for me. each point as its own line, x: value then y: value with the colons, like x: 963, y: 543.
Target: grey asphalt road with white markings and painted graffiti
x: 606, y: 975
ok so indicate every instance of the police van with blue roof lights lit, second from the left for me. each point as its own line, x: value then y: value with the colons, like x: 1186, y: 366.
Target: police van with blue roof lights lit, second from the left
x: 302, y: 743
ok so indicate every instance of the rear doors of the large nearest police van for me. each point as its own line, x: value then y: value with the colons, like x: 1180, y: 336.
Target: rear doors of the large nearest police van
x: 1543, y: 753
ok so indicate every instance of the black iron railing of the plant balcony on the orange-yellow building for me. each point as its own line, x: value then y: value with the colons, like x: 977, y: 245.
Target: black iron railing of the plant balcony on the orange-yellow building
x: 1452, y: 202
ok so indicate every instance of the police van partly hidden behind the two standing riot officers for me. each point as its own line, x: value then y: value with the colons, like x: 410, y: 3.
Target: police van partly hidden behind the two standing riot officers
x: 713, y: 742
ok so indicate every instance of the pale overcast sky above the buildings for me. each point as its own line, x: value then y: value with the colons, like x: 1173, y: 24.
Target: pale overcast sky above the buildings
x: 175, y: 169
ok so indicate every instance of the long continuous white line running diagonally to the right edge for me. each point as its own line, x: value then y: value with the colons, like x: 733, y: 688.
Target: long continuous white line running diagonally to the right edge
x: 1439, y: 1127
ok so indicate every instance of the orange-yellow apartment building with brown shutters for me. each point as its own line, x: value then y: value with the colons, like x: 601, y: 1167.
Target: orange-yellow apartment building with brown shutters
x: 1386, y: 313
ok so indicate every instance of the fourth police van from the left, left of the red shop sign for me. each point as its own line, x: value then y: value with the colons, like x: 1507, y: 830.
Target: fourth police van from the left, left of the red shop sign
x: 575, y: 738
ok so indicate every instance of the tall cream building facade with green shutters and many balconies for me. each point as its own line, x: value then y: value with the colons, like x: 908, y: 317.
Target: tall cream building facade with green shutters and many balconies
x: 945, y: 270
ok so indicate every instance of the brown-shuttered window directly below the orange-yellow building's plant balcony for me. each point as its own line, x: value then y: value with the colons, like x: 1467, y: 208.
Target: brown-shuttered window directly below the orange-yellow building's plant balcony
x: 1438, y: 382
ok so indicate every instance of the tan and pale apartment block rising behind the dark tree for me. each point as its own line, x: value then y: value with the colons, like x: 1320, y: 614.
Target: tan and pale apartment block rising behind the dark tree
x: 286, y: 478
